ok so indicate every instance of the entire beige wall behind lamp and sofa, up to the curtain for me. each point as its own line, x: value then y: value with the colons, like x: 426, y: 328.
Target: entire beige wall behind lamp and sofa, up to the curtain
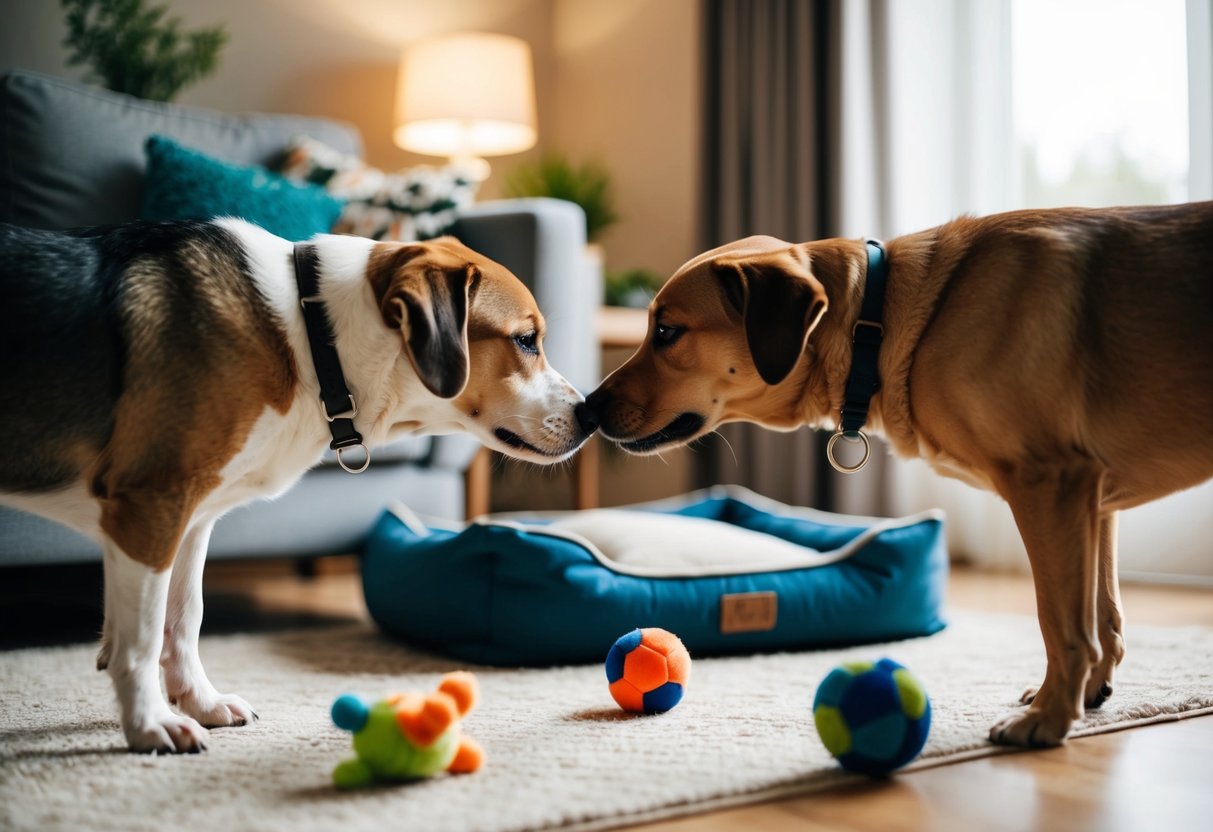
x: 613, y: 79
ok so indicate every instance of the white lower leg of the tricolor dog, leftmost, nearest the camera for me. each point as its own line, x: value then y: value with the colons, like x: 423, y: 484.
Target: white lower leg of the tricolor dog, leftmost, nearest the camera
x: 135, y: 605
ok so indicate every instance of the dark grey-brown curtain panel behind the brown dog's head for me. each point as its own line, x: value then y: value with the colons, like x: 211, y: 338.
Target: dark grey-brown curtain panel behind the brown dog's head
x: 773, y: 143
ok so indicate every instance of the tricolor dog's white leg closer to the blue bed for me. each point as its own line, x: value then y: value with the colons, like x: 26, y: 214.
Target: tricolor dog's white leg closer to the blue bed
x: 184, y: 675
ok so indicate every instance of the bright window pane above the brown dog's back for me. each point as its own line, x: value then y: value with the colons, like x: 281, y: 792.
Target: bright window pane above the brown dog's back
x: 1101, y: 102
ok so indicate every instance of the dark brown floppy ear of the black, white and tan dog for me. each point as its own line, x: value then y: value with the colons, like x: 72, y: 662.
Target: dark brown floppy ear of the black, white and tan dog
x: 432, y: 300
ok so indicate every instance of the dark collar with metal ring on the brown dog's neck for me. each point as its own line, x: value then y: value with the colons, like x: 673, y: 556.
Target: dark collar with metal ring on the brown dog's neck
x: 864, y: 379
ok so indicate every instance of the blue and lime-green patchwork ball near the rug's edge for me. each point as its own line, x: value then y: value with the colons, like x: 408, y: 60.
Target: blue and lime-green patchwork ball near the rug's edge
x: 874, y: 717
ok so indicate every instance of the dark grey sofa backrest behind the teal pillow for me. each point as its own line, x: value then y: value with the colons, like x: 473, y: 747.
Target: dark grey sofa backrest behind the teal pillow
x: 73, y: 156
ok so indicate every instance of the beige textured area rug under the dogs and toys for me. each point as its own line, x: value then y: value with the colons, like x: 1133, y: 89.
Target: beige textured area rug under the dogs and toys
x: 560, y: 754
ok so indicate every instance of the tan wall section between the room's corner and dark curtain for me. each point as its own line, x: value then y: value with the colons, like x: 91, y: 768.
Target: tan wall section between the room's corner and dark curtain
x: 628, y: 92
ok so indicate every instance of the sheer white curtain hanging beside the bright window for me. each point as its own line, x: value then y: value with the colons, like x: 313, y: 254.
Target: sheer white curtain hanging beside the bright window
x: 927, y: 134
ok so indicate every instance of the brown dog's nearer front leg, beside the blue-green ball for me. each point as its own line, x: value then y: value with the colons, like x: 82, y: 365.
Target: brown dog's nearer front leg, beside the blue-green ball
x: 1057, y: 515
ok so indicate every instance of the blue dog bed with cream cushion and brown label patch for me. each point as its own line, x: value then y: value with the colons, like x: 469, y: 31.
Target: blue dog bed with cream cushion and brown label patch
x: 727, y: 571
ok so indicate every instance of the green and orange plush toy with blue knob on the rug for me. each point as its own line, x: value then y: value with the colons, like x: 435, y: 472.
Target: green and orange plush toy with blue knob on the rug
x: 408, y: 737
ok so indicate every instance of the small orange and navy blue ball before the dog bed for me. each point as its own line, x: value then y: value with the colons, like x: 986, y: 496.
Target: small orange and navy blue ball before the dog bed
x: 648, y: 671
